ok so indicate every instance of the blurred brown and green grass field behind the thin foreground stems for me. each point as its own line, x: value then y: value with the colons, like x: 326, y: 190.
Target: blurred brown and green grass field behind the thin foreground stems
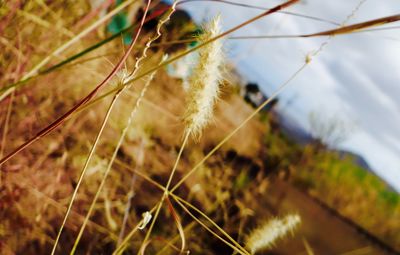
x: 37, y: 183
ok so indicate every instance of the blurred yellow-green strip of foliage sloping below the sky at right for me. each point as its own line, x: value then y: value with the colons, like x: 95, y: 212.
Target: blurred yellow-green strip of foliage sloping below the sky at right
x: 340, y: 182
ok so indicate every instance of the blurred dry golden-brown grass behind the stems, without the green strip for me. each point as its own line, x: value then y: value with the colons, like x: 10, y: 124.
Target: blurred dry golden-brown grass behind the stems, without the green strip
x: 37, y: 183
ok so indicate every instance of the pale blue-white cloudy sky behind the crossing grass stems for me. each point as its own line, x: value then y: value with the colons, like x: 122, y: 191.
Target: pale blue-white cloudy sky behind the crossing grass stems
x: 354, y: 79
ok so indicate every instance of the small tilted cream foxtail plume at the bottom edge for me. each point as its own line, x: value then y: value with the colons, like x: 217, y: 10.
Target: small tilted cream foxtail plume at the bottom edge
x: 265, y: 236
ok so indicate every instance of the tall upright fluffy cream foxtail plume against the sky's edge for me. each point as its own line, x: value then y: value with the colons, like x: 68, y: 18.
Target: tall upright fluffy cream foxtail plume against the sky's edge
x: 204, y: 81
